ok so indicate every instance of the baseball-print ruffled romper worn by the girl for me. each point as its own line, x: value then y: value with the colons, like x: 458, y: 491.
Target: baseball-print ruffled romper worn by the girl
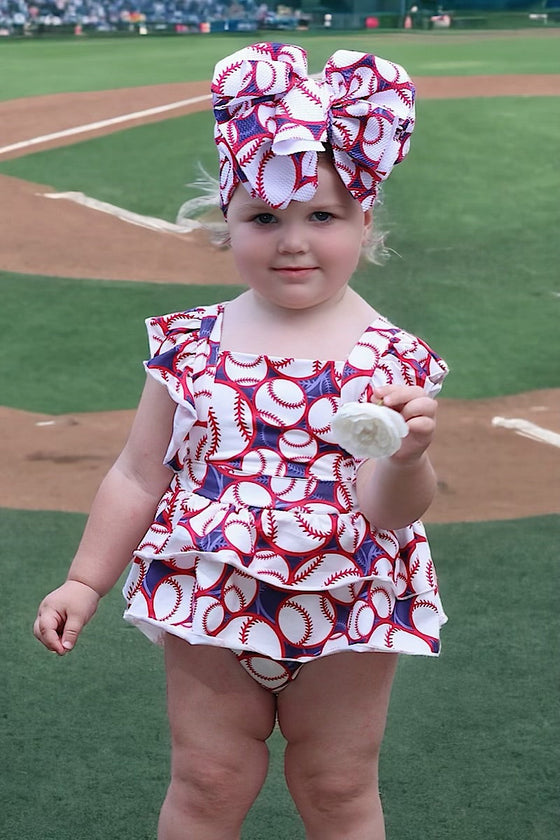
x: 258, y: 545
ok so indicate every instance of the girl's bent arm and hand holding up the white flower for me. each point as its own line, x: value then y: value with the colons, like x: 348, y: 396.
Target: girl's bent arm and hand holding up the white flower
x: 393, y: 492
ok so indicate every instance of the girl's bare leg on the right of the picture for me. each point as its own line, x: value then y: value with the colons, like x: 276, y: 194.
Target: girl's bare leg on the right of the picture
x: 333, y: 718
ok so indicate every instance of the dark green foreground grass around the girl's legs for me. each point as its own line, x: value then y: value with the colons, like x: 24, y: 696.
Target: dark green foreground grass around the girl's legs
x: 471, y: 739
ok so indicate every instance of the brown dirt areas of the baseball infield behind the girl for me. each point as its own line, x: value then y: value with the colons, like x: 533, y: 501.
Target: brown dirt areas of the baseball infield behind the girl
x: 55, y: 463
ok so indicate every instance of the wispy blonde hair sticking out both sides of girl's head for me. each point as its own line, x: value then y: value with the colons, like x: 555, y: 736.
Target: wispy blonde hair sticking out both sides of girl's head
x: 205, y: 209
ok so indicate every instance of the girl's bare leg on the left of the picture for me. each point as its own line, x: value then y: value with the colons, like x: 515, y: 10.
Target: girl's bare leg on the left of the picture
x: 219, y: 720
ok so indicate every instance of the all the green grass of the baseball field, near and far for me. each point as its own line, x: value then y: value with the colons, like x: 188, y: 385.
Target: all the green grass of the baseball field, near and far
x: 472, y: 740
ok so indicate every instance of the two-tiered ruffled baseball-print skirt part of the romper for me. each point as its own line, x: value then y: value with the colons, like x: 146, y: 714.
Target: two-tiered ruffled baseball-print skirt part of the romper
x: 290, y: 584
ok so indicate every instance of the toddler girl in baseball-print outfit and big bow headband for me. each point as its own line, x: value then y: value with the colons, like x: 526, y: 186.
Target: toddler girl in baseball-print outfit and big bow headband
x: 282, y: 574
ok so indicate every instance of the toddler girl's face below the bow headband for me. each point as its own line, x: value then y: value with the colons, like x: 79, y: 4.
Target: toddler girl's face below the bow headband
x: 305, y: 254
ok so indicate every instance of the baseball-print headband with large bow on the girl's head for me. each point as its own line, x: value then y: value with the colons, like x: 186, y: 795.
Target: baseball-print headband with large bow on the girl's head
x: 272, y: 119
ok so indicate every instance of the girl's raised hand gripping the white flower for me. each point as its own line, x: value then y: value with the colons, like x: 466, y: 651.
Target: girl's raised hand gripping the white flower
x: 418, y: 410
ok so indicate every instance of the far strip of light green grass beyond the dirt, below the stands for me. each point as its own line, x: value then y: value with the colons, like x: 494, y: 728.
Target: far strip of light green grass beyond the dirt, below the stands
x: 37, y: 67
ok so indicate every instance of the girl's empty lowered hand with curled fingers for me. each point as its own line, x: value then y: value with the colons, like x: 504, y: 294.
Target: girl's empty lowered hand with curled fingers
x: 63, y: 614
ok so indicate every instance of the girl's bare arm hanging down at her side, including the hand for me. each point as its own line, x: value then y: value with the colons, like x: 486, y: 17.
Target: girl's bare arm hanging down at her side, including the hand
x: 120, y: 515
